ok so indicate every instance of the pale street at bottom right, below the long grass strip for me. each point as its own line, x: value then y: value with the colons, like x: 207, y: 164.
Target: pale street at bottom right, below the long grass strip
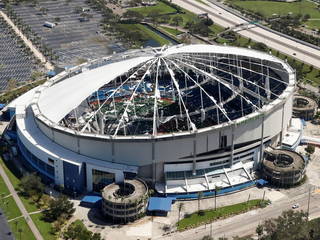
x: 245, y: 224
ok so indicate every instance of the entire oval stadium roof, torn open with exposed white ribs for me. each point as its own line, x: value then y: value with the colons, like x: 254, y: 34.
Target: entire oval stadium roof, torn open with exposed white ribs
x: 160, y: 92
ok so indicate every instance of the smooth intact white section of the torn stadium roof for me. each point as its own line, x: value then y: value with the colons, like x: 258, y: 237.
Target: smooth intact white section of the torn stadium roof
x: 58, y: 100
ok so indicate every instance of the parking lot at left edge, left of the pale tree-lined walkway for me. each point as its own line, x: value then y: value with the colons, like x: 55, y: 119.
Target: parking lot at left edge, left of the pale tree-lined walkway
x: 15, y: 64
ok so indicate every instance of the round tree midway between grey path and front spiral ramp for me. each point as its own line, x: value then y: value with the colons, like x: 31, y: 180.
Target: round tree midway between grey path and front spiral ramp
x: 57, y: 207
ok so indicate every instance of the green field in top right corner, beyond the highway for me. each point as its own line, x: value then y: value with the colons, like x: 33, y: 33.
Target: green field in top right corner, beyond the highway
x: 267, y: 8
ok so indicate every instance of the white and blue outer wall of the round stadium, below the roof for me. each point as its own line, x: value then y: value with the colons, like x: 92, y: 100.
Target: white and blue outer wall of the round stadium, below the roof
x: 75, y: 156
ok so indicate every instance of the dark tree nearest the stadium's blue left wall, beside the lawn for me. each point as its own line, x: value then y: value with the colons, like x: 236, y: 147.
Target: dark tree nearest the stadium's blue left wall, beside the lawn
x: 32, y: 186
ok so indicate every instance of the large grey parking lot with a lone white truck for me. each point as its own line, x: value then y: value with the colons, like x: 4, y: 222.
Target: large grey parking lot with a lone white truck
x: 71, y: 40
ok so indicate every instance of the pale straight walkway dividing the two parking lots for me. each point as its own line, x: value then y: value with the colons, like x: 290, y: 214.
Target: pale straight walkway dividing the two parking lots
x: 29, y: 44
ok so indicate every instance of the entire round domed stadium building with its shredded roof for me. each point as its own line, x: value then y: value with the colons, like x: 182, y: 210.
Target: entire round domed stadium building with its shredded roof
x: 185, y: 118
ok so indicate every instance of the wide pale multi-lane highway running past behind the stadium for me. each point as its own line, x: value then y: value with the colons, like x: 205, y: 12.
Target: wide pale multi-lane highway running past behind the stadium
x: 225, y: 18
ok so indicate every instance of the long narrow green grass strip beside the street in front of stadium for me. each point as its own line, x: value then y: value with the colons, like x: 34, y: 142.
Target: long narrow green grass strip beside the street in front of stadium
x: 207, y: 216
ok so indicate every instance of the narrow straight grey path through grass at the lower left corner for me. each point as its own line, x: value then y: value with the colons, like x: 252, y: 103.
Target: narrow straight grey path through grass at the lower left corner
x: 20, y: 205
